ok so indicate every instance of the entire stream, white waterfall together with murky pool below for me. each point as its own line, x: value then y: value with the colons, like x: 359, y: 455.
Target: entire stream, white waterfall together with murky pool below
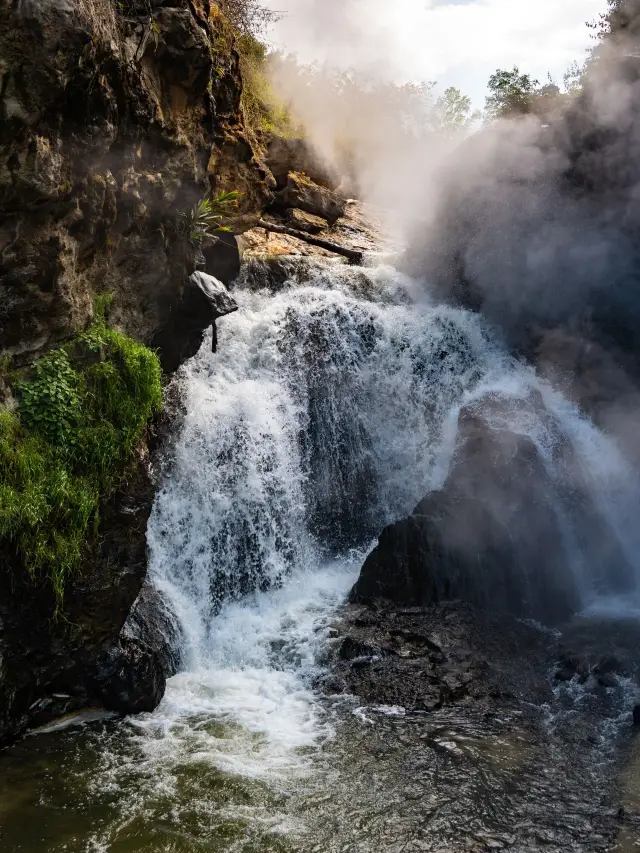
x: 329, y: 411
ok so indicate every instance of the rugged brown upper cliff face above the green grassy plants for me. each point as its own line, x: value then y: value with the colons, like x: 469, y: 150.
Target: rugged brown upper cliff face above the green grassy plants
x: 114, y: 118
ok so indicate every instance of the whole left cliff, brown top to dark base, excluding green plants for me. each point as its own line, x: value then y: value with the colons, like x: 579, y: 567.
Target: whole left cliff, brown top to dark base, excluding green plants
x: 115, y: 119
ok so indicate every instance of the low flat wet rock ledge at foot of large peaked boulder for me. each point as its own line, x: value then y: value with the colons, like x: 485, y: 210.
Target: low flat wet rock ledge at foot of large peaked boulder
x: 470, y: 661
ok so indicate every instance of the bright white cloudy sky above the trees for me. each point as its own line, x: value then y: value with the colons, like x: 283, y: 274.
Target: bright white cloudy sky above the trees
x: 454, y: 42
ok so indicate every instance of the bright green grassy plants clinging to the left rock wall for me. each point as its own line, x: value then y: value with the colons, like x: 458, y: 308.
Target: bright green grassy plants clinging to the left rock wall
x: 81, y: 415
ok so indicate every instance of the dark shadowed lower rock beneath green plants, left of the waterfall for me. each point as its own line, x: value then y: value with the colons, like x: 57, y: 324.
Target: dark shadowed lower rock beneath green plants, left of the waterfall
x: 52, y: 668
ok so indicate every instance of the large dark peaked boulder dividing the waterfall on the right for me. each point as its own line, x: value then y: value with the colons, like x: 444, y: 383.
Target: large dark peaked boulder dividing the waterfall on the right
x: 494, y: 535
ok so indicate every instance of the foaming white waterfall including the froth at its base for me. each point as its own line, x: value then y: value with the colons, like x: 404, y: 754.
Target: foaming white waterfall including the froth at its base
x: 329, y: 410
